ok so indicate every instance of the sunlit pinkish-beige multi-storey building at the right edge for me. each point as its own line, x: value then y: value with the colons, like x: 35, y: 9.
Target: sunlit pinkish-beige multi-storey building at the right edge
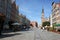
x: 56, y: 13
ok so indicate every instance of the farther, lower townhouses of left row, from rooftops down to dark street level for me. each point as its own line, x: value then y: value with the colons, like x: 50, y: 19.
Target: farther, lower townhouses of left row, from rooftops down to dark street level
x: 24, y: 22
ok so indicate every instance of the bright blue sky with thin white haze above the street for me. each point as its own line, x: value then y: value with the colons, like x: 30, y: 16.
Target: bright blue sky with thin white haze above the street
x: 32, y: 9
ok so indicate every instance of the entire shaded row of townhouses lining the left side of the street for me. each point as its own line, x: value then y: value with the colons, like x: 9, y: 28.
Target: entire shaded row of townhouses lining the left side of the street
x: 9, y: 11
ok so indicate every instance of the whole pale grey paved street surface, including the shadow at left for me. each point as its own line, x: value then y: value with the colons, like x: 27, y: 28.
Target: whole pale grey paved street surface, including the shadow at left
x: 34, y: 34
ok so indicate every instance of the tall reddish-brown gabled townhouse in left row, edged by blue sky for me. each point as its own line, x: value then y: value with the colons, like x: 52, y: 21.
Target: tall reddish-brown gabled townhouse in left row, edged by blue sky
x: 15, y: 13
